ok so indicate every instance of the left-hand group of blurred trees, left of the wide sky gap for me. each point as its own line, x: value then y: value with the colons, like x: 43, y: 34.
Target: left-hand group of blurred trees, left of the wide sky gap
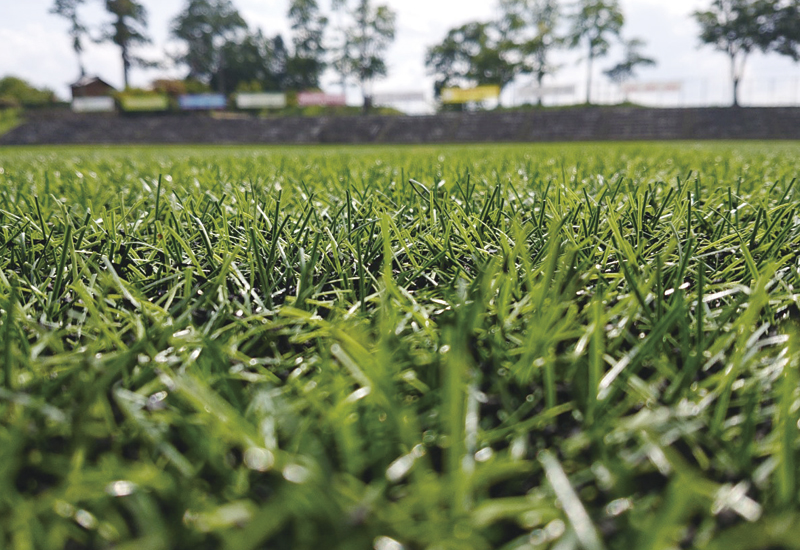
x: 220, y: 50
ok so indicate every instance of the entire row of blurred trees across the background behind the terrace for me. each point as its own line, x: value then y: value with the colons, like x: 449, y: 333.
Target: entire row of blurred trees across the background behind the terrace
x: 351, y: 37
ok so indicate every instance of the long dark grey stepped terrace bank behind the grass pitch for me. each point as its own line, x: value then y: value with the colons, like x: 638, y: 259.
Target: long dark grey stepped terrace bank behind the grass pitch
x: 572, y: 124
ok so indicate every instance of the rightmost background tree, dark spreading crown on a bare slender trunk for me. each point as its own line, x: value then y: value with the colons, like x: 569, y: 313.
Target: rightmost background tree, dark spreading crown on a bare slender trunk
x: 740, y: 27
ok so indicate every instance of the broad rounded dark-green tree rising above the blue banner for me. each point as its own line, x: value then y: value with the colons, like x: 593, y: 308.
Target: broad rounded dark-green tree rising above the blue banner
x: 205, y: 26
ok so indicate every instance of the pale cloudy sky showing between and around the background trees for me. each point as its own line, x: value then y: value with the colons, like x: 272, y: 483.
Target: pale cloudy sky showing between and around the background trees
x: 35, y: 46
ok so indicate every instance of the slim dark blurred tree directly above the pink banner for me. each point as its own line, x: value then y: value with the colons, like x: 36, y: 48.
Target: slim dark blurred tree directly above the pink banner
x: 306, y: 64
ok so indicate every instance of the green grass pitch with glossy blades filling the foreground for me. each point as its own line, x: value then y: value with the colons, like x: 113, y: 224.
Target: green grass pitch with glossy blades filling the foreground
x: 583, y: 346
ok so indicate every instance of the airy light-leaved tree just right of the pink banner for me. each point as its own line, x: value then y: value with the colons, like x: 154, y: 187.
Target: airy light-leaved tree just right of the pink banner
x: 364, y: 41
